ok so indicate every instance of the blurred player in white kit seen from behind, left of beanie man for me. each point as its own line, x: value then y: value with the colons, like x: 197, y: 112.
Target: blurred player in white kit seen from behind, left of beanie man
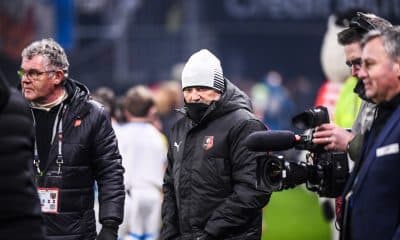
x: 144, y: 152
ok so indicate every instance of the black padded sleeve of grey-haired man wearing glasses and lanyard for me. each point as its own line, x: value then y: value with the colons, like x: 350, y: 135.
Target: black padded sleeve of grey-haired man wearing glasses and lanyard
x: 108, y: 170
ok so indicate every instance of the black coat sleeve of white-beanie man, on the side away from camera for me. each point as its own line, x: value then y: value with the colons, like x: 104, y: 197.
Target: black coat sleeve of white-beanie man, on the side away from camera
x: 169, y: 212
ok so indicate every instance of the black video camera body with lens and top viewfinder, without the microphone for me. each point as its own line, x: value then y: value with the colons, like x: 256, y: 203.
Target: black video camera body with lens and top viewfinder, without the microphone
x: 324, y: 172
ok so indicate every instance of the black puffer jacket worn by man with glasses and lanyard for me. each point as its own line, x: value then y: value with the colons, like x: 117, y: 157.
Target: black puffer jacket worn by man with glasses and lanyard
x: 90, y: 153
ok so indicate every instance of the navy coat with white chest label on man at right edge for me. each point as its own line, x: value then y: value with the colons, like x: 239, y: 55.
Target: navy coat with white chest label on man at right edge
x: 374, y: 211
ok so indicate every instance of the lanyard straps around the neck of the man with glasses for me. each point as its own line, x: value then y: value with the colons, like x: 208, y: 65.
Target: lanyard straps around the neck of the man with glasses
x: 59, y: 159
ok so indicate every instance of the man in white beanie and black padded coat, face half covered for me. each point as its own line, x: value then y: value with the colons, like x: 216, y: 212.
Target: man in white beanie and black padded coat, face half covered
x: 210, y: 182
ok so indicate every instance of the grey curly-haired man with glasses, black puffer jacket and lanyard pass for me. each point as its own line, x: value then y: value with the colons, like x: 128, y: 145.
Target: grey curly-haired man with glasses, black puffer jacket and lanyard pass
x: 75, y: 146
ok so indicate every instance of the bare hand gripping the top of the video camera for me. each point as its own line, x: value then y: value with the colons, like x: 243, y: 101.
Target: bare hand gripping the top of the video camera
x: 333, y: 137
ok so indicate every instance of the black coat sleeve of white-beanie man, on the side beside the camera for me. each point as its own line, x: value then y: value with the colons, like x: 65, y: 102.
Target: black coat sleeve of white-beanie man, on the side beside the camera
x: 246, y: 202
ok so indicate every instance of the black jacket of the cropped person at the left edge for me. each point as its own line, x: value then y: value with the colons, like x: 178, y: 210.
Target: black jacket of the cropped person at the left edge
x: 20, y: 216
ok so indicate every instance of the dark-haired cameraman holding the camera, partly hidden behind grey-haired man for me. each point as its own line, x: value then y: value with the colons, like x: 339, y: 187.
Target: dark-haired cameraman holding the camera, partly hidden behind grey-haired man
x: 334, y: 137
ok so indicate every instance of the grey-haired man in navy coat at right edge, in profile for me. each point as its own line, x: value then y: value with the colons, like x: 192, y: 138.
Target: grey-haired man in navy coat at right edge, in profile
x: 372, y: 197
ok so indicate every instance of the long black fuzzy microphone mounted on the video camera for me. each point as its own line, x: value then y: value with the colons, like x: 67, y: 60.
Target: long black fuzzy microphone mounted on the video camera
x: 265, y: 141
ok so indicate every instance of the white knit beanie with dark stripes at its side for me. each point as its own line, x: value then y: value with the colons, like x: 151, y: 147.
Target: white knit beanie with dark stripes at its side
x: 203, y: 69
